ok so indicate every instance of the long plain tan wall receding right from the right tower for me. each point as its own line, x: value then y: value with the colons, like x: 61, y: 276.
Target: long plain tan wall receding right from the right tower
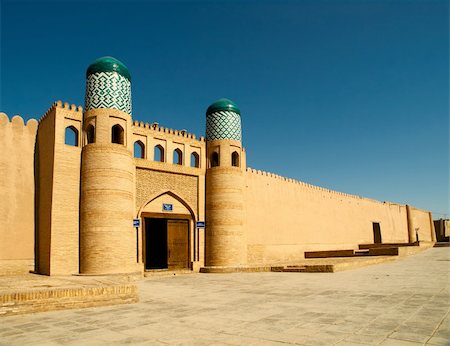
x: 286, y: 217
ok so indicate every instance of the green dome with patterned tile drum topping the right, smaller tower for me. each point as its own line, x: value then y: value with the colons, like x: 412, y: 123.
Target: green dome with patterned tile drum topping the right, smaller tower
x: 223, y: 121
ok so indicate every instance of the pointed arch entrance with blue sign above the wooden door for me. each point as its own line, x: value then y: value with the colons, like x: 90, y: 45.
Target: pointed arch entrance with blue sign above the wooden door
x: 167, y: 232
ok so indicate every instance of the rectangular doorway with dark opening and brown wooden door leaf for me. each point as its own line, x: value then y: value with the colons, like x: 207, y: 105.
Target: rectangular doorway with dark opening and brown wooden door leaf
x: 166, y: 244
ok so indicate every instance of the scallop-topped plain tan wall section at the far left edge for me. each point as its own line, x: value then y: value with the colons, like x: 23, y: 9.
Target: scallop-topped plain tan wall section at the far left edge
x: 17, y: 142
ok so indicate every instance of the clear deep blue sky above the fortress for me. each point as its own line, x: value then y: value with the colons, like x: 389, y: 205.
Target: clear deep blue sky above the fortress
x: 348, y: 95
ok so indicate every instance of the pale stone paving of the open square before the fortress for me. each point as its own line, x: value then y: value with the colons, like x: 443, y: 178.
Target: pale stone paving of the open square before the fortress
x: 406, y: 302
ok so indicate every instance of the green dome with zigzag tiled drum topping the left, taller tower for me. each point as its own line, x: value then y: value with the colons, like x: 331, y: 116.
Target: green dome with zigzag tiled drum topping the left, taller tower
x: 108, y: 85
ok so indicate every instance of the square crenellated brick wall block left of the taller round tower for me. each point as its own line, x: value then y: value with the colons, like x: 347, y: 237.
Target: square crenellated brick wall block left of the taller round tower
x: 58, y: 188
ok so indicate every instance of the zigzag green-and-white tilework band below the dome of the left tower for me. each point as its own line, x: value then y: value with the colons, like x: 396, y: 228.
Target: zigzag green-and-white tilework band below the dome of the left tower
x: 108, y: 90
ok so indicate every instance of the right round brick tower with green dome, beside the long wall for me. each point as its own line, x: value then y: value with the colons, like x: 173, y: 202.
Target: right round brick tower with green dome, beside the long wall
x: 225, y: 233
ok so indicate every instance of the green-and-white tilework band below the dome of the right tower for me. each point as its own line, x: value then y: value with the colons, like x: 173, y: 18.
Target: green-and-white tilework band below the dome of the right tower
x: 223, y: 125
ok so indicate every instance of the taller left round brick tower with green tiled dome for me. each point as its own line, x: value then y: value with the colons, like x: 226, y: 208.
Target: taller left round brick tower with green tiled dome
x: 107, y: 238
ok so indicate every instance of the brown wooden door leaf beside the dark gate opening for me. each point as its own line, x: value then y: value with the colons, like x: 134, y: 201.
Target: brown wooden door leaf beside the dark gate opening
x: 177, y: 244
